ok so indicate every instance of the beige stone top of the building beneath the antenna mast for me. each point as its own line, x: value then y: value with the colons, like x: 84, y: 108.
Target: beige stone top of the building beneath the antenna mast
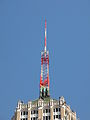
x: 44, y: 109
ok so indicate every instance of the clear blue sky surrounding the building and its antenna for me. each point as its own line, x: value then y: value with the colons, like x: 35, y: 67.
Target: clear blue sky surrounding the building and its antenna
x: 21, y: 41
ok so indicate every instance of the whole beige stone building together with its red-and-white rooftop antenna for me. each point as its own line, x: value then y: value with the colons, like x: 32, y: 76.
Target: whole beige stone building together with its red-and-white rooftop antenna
x: 45, y: 107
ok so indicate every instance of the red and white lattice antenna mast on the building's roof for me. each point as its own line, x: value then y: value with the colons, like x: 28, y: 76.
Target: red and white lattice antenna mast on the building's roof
x: 44, y: 77
